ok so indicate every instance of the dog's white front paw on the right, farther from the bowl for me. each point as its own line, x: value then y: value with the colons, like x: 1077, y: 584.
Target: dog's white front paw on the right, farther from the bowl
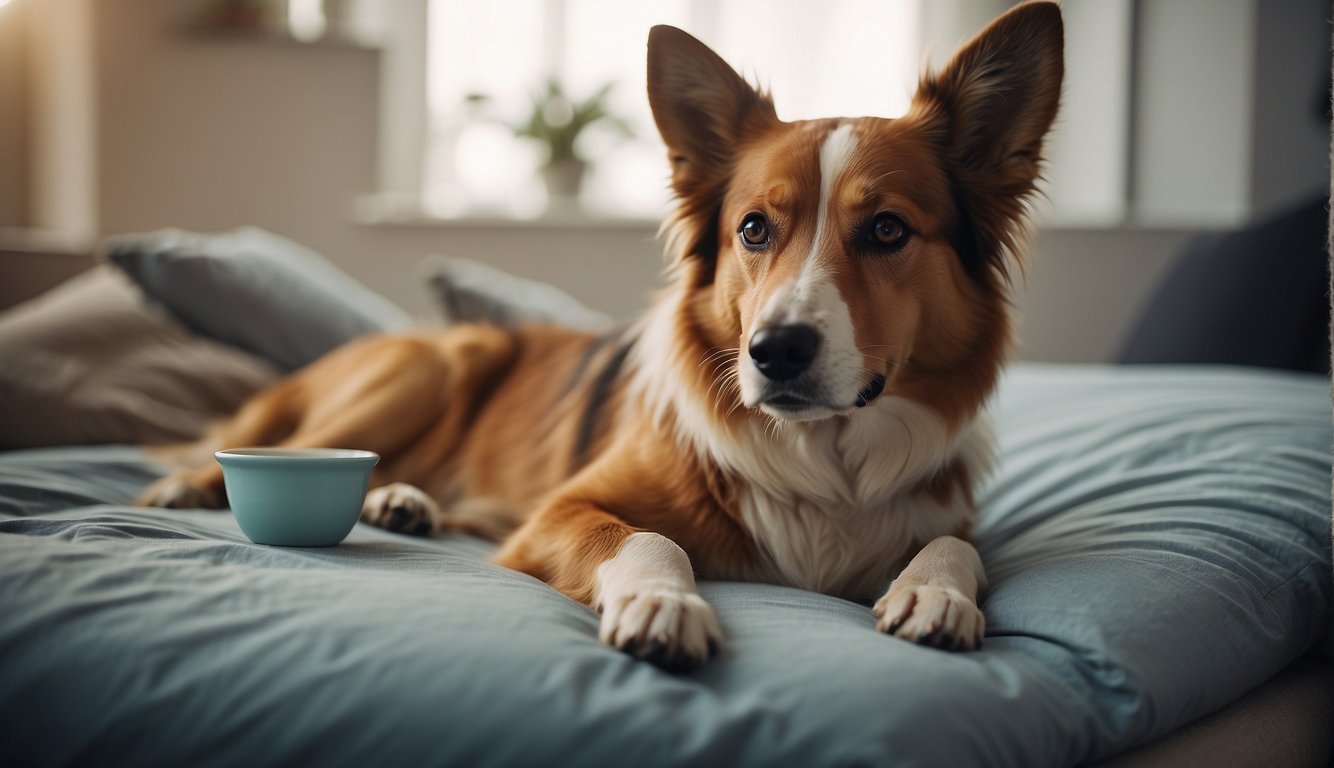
x: 932, y: 615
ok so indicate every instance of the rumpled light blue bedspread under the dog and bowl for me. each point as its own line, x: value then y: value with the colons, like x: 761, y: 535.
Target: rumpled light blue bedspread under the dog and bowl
x: 1157, y: 539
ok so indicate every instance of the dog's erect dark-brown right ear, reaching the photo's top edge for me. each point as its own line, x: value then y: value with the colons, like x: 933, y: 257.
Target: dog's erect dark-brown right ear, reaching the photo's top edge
x: 992, y: 107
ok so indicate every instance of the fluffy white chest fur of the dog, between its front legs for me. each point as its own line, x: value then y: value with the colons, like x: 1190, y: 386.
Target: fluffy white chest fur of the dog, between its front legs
x: 832, y: 507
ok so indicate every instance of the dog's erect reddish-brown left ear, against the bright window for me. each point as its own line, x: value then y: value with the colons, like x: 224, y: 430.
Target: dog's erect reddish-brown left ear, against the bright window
x: 704, y: 111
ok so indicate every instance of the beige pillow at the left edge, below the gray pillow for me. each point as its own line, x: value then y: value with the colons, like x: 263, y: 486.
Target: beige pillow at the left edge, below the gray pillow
x: 91, y: 362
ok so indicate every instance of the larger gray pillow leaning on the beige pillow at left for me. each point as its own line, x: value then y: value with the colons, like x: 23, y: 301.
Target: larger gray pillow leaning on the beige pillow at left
x: 254, y: 290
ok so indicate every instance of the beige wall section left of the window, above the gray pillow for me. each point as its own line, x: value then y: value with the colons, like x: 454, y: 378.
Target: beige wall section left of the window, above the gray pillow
x: 209, y: 133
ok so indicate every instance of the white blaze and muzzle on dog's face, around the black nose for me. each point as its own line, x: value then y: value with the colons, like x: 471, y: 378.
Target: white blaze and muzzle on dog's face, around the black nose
x: 813, y: 299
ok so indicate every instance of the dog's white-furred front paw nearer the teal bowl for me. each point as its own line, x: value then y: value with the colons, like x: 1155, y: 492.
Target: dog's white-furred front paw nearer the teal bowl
x: 670, y: 627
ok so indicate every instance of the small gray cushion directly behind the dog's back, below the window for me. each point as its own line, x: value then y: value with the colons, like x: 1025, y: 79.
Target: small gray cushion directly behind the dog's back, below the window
x: 473, y: 293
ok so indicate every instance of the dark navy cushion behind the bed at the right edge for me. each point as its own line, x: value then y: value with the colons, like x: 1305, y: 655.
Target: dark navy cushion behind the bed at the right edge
x: 1256, y: 297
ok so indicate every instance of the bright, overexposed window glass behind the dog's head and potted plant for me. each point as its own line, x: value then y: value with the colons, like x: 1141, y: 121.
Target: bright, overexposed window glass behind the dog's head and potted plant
x: 849, y: 58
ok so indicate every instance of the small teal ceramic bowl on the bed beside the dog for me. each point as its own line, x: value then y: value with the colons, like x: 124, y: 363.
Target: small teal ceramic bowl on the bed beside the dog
x: 297, y: 497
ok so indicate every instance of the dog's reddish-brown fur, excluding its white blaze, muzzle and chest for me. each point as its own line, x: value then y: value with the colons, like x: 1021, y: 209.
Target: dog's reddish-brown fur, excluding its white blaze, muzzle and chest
x: 552, y: 425
